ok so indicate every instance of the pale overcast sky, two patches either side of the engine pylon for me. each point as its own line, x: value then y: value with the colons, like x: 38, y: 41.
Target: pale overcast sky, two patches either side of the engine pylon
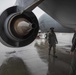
x: 7, y: 3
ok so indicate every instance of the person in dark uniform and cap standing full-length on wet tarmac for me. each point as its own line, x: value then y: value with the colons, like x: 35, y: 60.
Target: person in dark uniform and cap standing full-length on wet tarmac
x: 52, y: 40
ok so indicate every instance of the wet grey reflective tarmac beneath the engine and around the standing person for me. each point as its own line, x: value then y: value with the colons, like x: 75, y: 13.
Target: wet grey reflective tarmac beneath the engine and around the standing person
x: 34, y: 59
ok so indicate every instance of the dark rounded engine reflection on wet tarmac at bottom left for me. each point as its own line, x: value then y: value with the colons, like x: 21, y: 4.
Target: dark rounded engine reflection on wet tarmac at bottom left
x: 14, y: 66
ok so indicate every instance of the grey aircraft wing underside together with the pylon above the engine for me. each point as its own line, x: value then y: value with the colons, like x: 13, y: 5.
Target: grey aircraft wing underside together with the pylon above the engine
x: 62, y: 11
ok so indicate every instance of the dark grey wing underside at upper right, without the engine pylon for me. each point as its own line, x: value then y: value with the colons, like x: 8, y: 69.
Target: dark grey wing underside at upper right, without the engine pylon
x: 63, y: 11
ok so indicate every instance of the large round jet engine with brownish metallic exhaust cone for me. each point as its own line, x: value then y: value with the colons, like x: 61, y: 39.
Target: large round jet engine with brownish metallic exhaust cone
x: 17, y: 29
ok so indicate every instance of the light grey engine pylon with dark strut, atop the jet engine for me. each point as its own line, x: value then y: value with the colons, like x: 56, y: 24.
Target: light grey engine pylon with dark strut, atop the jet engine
x: 27, y: 5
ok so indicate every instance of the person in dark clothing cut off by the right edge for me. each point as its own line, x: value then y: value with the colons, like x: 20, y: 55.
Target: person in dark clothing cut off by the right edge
x: 73, y: 52
